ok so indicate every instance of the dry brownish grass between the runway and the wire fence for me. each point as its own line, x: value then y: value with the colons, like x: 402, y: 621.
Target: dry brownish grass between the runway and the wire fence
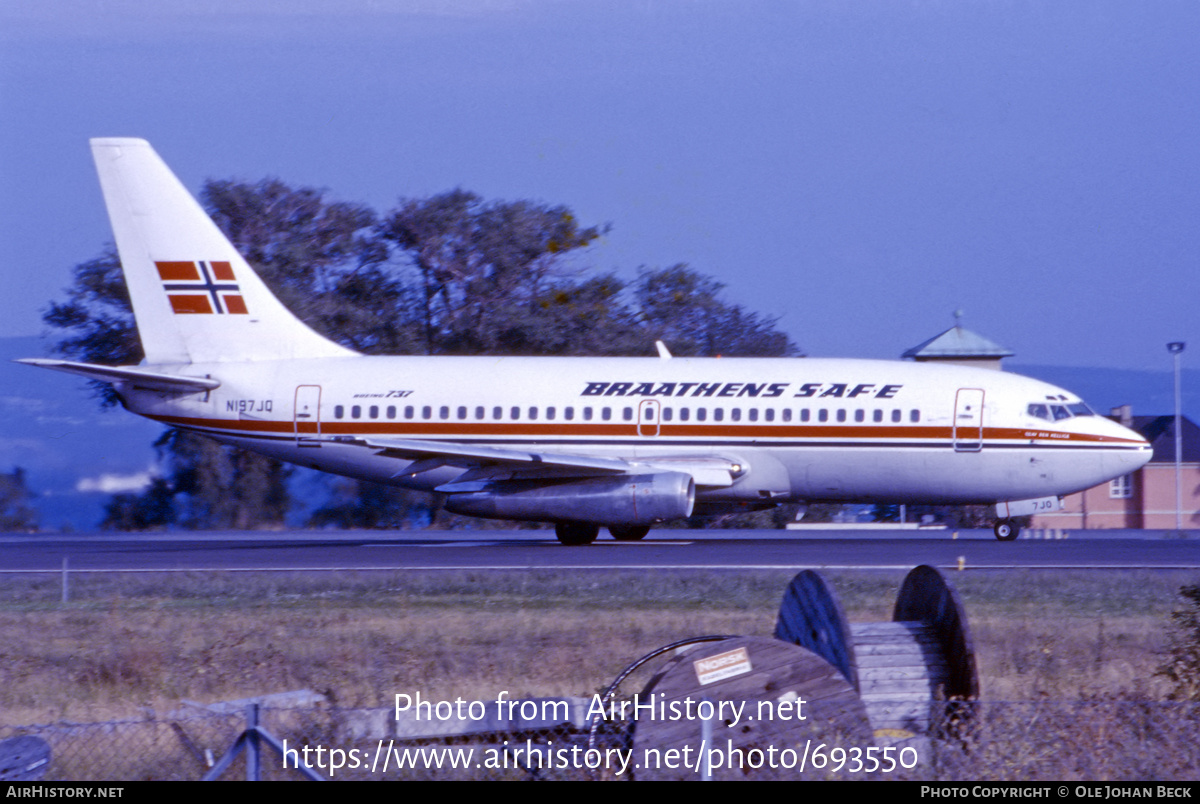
x: 149, y: 641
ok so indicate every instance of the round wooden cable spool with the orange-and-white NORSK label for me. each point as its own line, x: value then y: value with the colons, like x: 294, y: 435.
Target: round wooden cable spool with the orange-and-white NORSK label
x: 769, y: 677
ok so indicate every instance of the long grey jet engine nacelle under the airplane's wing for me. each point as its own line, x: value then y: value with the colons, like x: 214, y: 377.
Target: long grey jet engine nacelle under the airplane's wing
x: 622, y: 500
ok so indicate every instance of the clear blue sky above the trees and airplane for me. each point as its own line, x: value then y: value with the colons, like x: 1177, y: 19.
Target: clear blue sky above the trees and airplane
x: 860, y: 170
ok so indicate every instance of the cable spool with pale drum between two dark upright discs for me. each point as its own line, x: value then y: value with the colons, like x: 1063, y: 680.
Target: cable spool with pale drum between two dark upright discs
x: 903, y: 670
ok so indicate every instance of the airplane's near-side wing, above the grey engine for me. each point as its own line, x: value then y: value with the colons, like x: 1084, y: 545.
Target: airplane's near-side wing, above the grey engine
x: 483, y: 465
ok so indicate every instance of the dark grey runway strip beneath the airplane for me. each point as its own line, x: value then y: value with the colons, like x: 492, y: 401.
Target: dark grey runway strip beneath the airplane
x: 529, y: 550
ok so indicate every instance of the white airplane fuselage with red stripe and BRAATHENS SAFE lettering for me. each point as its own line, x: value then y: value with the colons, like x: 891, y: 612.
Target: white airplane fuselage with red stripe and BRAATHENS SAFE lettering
x: 797, y: 429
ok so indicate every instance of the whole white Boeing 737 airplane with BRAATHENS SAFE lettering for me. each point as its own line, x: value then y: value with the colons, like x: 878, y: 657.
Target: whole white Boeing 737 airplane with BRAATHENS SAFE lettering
x: 625, y: 443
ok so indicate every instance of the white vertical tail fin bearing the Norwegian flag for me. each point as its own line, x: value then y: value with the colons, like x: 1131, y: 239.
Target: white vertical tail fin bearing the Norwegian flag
x: 195, y: 298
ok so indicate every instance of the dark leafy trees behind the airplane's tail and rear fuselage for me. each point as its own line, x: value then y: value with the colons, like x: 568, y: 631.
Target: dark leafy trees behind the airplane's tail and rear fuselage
x: 453, y: 274
